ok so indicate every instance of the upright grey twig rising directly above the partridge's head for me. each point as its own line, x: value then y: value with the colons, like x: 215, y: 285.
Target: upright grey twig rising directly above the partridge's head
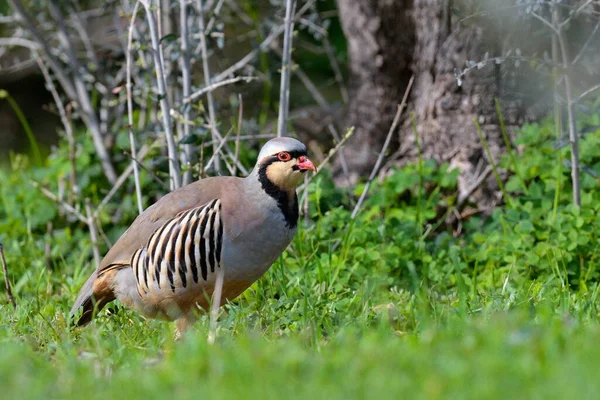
x: 284, y: 90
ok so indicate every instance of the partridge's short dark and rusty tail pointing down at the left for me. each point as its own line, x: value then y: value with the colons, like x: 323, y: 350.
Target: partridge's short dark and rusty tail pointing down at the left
x: 93, y: 296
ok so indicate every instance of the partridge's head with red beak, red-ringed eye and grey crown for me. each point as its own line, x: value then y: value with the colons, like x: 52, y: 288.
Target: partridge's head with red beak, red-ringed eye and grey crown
x: 283, y: 162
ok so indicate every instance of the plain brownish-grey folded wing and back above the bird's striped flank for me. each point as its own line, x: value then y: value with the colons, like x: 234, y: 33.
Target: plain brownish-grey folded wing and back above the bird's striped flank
x: 169, y: 206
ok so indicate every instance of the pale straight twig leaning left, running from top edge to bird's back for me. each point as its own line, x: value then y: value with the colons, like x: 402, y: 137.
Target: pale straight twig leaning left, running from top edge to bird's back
x: 174, y: 171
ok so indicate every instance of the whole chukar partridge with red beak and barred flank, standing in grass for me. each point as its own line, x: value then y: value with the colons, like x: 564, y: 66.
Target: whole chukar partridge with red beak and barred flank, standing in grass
x: 165, y: 265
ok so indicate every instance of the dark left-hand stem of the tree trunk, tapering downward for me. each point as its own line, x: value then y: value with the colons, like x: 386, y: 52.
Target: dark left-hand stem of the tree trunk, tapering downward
x: 379, y: 33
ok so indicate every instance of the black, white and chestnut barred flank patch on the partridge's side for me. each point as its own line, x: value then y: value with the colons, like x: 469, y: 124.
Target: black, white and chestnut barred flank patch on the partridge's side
x: 182, y: 251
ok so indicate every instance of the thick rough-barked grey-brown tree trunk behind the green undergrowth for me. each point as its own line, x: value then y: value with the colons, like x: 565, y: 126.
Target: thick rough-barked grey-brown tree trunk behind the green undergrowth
x: 391, y: 40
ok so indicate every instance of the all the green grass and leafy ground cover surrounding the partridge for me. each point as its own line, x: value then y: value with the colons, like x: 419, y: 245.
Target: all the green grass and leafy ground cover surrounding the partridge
x: 394, y: 305
